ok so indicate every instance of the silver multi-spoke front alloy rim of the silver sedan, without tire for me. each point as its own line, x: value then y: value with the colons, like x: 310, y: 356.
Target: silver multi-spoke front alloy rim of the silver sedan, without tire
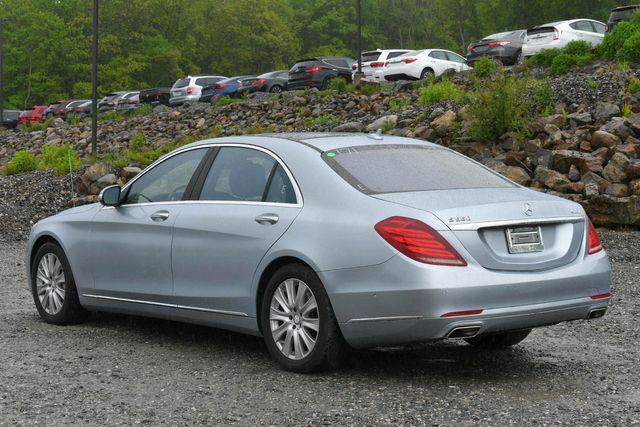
x: 50, y: 284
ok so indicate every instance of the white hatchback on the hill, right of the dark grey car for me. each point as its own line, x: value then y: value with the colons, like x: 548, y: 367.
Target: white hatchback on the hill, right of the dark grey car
x: 560, y: 34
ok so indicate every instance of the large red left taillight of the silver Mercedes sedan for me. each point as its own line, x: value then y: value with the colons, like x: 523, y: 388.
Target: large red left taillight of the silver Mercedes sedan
x: 418, y: 241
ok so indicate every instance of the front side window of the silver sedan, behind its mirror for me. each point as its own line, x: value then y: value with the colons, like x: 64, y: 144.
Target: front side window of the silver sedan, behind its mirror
x: 167, y: 181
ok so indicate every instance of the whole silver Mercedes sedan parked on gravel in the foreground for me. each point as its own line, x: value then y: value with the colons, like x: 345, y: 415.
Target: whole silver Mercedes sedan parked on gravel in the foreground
x: 318, y: 242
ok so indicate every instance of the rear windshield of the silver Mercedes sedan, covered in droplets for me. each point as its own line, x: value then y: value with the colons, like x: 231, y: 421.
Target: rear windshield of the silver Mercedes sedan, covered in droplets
x: 375, y: 169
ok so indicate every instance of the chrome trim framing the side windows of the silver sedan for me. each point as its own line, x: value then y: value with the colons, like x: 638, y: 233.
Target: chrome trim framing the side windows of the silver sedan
x: 296, y: 188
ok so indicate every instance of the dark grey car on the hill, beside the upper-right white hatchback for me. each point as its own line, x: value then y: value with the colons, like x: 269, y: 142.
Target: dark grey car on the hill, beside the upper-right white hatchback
x: 505, y: 48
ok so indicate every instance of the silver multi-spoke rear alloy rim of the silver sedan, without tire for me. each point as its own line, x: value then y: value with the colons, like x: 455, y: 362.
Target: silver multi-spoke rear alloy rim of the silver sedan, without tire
x: 294, y: 319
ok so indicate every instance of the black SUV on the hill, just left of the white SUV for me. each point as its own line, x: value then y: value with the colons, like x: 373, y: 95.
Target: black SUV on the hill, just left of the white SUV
x: 317, y: 72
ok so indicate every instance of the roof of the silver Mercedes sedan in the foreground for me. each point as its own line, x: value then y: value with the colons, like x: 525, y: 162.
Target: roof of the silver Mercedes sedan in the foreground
x: 319, y: 141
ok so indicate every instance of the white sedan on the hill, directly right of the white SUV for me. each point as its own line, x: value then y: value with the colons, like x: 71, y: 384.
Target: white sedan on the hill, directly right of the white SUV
x: 422, y: 64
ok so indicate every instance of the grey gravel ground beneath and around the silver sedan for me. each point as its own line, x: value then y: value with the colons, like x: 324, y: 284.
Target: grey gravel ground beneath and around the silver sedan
x: 127, y: 370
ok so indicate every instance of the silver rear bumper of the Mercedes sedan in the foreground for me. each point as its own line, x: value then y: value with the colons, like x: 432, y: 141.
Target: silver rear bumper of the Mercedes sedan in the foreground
x: 401, y: 301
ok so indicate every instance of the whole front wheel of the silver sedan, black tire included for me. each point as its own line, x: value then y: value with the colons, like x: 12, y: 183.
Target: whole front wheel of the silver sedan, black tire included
x: 57, y: 302
